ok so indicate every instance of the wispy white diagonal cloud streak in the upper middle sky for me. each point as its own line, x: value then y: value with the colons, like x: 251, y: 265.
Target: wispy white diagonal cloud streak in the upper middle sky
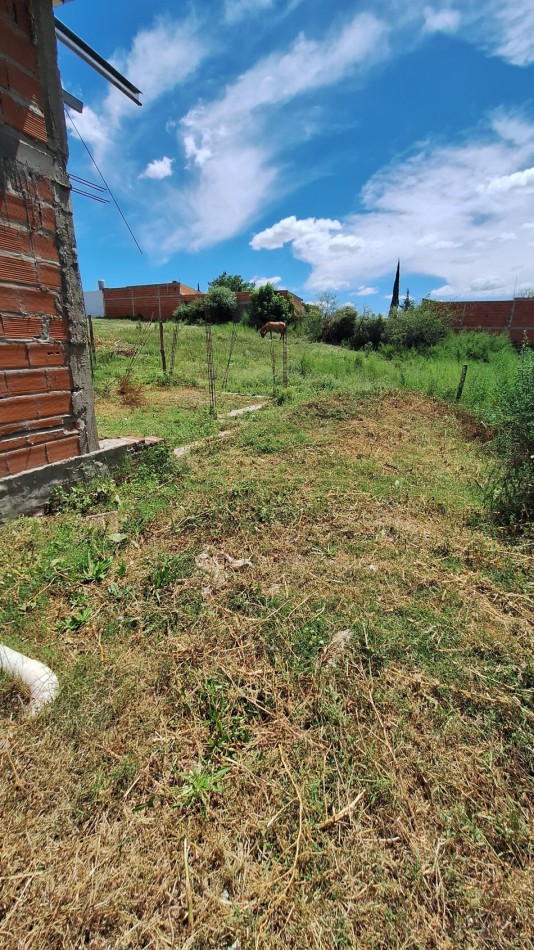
x: 230, y: 180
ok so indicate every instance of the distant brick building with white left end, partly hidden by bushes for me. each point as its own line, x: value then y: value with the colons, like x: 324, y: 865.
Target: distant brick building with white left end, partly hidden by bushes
x: 155, y: 301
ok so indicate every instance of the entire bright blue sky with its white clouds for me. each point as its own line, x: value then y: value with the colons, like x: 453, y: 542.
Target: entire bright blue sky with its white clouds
x: 313, y: 148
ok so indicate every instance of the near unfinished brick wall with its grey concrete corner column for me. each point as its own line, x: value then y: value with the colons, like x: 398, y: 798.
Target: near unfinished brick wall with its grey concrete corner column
x: 46, y: 400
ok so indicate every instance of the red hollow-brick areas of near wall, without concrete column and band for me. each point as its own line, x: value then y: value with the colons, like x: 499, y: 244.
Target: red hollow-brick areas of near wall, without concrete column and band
x: 36, y: 424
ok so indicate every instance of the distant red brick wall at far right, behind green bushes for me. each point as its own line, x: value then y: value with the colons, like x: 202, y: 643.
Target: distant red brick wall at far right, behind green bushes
x: 514, y: 317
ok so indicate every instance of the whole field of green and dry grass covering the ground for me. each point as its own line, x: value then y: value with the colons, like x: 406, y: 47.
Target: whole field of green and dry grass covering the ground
x: 327, y: 747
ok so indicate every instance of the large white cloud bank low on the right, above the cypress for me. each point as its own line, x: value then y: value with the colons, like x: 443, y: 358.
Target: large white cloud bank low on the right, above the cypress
x: 432, y: 212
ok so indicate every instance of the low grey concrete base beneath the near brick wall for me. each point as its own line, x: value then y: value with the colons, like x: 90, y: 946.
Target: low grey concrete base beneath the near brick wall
x: 28, y: 492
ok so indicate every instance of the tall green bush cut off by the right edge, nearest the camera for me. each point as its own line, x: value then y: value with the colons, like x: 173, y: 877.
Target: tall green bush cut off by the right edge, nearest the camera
x: 510, y: 492
